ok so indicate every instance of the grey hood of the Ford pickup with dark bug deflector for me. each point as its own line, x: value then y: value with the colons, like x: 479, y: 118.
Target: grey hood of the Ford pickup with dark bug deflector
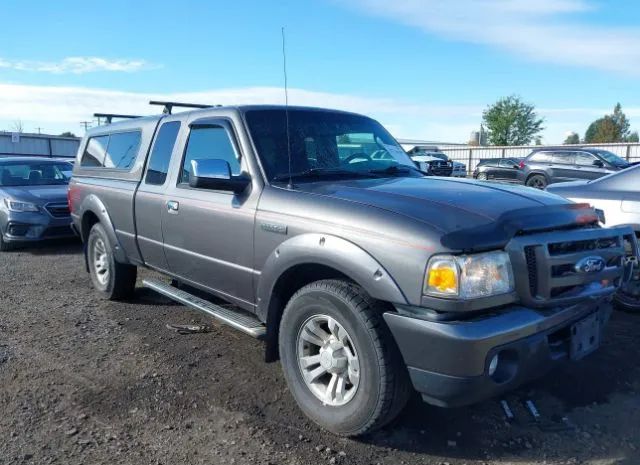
x: 468, y: 214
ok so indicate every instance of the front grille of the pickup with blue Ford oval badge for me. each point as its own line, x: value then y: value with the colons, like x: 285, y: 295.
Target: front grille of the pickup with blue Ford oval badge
x: 549, y: 267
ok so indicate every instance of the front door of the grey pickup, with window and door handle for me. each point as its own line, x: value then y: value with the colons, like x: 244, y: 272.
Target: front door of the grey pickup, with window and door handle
x: 208, y: 234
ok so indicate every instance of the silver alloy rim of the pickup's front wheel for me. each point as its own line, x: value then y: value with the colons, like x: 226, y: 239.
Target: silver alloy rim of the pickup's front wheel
x: 328, y: 360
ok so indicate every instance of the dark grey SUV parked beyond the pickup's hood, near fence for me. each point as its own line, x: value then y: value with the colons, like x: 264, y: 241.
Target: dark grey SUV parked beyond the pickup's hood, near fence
x: 547, y: 166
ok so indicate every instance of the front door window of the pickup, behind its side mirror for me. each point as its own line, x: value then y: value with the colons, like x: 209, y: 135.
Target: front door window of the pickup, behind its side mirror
x: 209, y: 142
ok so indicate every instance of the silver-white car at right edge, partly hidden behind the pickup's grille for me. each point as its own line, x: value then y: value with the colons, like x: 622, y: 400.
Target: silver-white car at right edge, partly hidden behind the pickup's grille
x: 617, y: 197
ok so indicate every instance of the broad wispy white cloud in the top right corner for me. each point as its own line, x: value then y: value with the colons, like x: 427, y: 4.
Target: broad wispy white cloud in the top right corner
x: 541, y: 30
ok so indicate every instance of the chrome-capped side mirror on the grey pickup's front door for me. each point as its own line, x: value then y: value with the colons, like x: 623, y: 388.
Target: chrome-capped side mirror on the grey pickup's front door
x: 215, y: 174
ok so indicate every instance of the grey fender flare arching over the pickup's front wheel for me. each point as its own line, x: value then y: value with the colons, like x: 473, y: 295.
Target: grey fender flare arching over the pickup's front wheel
x: 331, y: 251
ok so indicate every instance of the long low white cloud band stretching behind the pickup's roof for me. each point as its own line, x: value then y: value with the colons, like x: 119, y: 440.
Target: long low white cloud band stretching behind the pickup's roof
x: 58, y: 109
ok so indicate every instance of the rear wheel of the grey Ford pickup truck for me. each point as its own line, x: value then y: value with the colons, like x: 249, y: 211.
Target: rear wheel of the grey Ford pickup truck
x: 115, y: 281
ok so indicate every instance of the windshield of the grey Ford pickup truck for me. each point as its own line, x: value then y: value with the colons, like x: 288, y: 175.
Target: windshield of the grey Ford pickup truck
x: 325, y: 144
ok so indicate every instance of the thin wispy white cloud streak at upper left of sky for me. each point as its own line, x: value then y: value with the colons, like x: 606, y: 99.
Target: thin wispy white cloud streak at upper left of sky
x: 77, y: 65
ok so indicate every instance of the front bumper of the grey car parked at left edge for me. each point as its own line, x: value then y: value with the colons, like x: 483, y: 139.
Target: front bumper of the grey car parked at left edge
x: 17, y: 227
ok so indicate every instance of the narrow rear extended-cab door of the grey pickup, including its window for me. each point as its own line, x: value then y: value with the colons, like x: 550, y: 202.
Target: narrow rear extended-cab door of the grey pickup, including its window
x: 150, y: 201
